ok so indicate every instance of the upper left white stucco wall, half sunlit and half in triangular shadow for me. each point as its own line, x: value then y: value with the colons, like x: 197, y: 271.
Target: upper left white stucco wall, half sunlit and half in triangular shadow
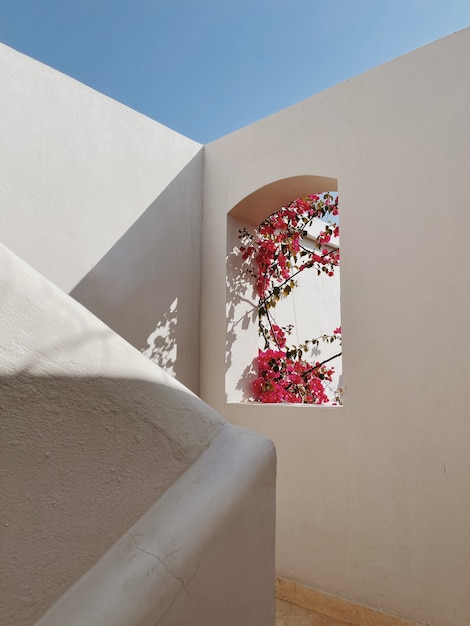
x: 94, y: 196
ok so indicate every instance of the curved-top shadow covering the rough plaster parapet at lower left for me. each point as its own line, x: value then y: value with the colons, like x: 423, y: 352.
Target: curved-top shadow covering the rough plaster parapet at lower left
x: 83, y: 459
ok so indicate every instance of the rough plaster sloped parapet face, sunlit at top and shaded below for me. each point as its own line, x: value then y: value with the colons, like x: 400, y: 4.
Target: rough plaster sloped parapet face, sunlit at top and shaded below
x: 92, y: 435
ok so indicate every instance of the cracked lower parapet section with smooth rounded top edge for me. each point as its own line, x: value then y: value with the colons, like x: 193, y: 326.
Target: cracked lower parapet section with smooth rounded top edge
x: 202, y: 555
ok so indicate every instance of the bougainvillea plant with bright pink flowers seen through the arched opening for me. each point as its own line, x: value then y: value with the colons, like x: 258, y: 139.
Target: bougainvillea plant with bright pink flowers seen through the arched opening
x: 274, y: 255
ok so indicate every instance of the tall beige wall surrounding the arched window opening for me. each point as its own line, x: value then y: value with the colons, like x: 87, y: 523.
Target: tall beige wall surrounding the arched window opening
x: 374, y: 497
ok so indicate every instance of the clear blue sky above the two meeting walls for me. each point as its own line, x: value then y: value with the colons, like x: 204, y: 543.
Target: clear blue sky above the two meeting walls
x: 208, y: 67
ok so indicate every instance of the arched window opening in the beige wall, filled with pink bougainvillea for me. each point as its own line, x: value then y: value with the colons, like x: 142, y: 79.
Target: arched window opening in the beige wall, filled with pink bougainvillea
x: 283, y: 302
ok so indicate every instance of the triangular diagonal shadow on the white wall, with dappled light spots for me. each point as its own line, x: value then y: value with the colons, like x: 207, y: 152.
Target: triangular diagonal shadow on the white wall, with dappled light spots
x: 147, y: 287
